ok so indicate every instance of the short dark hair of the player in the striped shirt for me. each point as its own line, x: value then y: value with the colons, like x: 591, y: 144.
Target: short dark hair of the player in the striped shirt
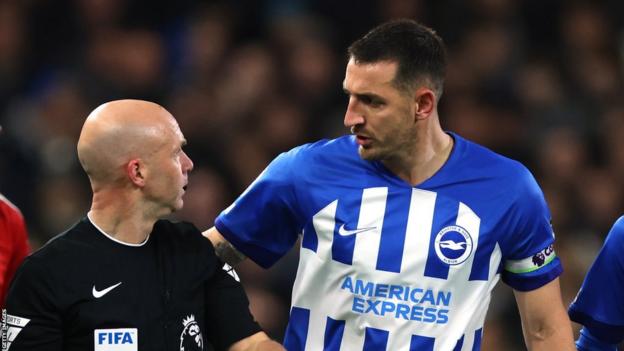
x: 417, y: 49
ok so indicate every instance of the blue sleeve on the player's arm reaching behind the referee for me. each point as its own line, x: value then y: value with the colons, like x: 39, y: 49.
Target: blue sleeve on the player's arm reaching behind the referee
x: 263, y: 223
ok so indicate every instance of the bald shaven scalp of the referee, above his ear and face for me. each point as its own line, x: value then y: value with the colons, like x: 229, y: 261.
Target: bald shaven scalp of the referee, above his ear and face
x: 118, y: 131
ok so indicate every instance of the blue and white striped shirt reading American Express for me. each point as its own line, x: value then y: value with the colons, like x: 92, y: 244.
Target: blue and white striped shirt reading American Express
x: 385, y: 265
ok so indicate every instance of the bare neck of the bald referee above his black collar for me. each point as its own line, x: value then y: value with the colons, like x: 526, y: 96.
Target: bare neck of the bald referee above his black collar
x: 120, y: 220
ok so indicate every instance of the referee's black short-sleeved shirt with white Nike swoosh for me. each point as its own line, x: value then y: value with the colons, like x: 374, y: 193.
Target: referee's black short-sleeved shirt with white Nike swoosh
x: 173, y: 278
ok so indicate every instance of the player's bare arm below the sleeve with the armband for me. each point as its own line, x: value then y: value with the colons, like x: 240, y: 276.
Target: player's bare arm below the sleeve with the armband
x: 545, y: 323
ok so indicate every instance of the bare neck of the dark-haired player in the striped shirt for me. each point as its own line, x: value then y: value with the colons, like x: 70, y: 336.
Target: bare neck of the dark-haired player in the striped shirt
x: 424, y: 159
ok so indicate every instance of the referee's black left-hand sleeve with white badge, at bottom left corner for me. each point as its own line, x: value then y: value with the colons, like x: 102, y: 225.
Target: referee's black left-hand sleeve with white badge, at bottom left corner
x: 33, y: 321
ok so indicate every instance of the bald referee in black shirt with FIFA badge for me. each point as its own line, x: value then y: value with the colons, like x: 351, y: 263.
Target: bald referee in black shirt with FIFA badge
x: 122, y: 279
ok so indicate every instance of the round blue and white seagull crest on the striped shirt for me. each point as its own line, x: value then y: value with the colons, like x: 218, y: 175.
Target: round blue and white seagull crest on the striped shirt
x: 453, y: 245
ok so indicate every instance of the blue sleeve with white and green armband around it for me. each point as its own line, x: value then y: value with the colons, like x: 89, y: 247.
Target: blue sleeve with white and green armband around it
x: 528, y: 250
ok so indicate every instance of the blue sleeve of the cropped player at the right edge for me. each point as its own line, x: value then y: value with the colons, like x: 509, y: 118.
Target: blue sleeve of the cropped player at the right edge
x: 599, y: 305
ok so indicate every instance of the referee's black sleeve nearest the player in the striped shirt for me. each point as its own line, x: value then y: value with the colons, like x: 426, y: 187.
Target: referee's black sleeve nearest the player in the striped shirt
x: 227, y: 309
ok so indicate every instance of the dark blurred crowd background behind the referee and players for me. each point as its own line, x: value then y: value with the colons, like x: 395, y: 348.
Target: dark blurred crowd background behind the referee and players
x: 538, y: 81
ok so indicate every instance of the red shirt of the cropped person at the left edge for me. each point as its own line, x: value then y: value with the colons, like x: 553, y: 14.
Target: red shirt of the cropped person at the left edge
x: 13, y: 244
